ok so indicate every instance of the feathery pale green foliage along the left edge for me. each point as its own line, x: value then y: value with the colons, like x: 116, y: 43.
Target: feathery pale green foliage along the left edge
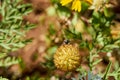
x: 12, y: 29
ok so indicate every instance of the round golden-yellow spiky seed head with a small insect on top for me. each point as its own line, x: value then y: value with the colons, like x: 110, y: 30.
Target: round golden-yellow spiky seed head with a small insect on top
x: 67, y: 57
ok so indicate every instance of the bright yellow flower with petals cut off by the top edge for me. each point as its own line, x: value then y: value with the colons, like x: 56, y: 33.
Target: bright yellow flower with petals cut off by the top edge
x: 76, y: 4
